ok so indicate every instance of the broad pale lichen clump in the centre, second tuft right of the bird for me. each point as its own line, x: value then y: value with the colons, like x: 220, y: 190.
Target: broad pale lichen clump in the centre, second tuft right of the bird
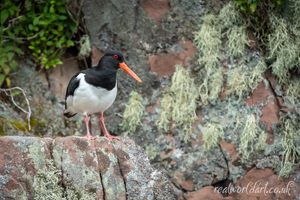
x: 179, y: 103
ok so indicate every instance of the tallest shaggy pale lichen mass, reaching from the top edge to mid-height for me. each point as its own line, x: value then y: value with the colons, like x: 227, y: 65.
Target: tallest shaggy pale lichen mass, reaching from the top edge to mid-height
x: 208, y: 40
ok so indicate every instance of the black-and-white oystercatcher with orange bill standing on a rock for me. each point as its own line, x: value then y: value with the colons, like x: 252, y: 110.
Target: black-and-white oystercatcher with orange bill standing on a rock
x: 95, y: 89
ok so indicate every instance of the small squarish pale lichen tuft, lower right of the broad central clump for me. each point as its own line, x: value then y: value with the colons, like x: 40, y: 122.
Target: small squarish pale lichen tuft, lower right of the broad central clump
x: 211, y: 135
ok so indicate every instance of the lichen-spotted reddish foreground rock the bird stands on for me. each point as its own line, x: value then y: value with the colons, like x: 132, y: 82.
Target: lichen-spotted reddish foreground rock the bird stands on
x: 86, y: 169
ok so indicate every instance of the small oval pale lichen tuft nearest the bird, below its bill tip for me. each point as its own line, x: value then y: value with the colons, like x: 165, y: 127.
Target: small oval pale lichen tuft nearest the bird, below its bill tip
x: 133, y: 113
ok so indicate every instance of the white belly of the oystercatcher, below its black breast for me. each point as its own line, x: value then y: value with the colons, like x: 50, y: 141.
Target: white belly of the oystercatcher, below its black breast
x: 88, y: 99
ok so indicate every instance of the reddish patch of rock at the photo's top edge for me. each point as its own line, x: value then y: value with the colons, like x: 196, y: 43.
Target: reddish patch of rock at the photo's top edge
x: 155, y: 8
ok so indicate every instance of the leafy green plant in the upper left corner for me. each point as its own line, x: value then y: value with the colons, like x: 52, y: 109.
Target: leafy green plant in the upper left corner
x: 45, y: 26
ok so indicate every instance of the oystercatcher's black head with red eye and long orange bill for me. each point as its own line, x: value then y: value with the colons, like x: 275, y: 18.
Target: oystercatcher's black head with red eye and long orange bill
x: 115, y: 59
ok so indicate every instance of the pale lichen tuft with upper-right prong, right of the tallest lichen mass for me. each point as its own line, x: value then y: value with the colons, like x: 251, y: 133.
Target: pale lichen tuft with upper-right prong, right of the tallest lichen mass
x: 242, y: 79
